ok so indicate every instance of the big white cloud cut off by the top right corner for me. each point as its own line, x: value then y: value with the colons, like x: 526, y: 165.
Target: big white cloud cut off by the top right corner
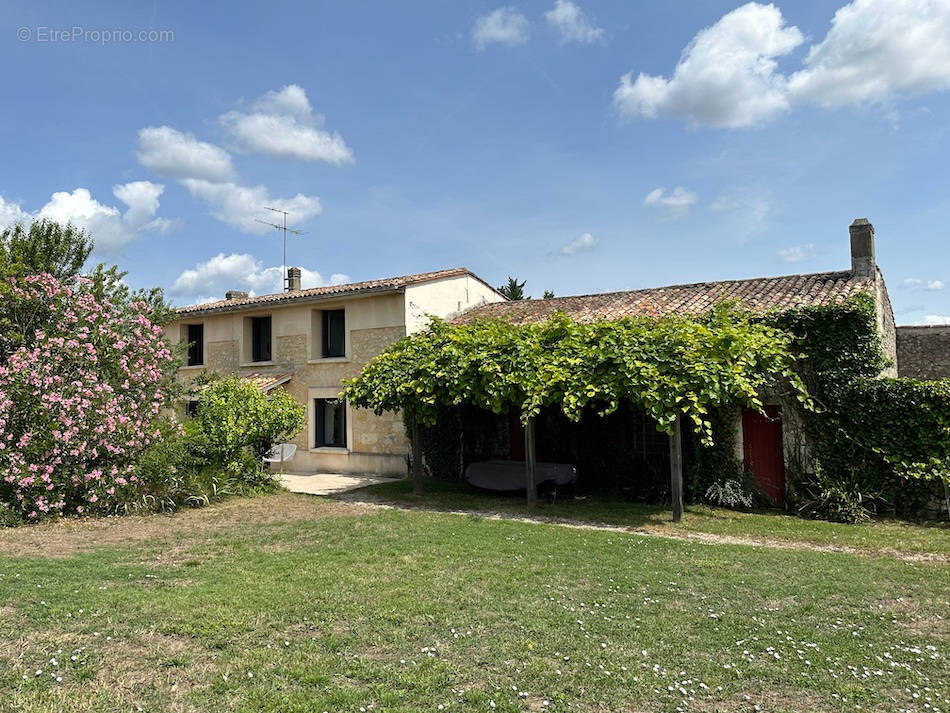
x: 876, y: 49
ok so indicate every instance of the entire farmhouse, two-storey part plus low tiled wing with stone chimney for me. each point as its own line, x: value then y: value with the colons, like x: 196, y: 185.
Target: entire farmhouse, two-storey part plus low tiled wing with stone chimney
x: 307, y: 341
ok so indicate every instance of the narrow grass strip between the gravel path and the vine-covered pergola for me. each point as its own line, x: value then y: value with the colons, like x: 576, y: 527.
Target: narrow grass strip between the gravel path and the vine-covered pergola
x: 882, y: 536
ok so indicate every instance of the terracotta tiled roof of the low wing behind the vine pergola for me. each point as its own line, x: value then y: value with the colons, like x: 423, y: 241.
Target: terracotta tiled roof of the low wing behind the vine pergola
x: 758, y: 294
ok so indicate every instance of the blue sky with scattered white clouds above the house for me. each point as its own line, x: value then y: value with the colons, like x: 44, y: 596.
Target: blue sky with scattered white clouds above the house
x: 583, y: 146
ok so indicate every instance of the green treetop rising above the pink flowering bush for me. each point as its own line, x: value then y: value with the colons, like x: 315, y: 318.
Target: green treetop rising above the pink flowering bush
x: 45, y: 247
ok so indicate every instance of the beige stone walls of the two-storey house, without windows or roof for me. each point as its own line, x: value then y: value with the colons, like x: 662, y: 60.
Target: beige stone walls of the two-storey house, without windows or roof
x: 374, y: 443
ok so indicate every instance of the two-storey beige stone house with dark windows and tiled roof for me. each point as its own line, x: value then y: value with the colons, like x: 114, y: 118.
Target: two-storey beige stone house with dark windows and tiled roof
x: 308, y: 340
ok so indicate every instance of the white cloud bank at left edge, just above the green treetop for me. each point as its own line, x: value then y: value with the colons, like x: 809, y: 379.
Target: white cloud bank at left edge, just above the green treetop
x: 108, y: 226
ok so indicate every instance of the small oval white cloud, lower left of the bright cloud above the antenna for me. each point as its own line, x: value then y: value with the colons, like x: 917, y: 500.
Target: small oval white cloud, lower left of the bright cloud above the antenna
x: 169, y: 152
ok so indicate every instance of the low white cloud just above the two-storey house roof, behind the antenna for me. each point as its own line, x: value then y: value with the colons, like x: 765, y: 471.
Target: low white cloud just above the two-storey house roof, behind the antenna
x: 239, y: 271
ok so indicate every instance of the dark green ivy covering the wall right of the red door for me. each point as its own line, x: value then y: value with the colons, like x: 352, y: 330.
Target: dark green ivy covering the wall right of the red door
x: 873, y: 435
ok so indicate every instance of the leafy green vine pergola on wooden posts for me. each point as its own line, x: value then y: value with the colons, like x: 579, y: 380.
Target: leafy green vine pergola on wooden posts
x: 675, y: 368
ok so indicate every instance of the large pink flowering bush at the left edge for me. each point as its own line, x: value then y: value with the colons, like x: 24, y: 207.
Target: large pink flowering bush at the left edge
x: 82, y: 388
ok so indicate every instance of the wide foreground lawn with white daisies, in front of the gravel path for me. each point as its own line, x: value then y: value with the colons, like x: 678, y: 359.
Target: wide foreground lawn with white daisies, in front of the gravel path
x: 292, y: 603
